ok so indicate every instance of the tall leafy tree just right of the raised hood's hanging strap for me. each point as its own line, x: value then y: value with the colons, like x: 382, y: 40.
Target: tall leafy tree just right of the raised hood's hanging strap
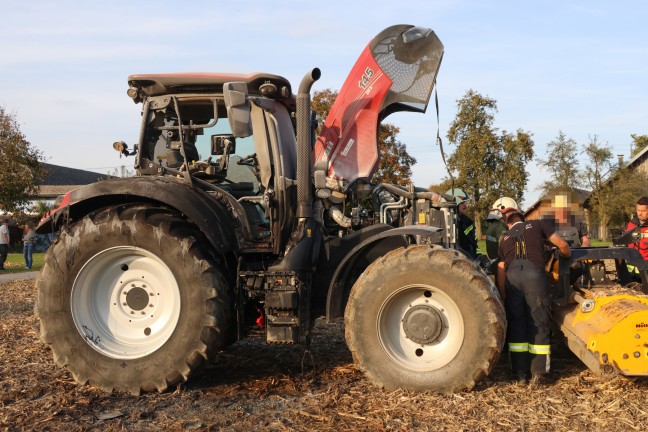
x: 487, y: 165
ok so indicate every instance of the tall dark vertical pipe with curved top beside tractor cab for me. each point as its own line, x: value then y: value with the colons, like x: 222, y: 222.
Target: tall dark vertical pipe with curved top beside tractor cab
x: 304, y: 130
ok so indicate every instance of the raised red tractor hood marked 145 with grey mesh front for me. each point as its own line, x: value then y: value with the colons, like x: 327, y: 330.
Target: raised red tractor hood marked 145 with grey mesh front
x: 395, y: 72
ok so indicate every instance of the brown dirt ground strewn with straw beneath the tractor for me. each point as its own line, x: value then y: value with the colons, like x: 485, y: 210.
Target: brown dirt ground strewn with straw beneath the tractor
x: 255, y: 387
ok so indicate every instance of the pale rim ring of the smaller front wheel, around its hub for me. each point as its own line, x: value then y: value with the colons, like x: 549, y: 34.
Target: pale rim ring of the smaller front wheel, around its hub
x: 412, y: 355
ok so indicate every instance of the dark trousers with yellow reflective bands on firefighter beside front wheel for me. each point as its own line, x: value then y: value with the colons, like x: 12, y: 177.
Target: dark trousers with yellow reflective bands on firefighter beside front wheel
x: 528, y: 309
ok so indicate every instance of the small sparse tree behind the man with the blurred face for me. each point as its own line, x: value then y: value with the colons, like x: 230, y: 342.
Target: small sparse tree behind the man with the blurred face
x: 562, y: 163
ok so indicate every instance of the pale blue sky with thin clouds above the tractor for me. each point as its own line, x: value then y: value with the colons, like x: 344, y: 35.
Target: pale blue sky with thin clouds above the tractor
x: 580, y: 67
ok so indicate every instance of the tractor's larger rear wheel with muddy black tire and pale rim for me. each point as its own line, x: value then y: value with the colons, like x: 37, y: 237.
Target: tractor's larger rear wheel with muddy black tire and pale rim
x: 130, y: 299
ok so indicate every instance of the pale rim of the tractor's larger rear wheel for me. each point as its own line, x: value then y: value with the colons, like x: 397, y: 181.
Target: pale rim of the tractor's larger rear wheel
x: 125, y: 302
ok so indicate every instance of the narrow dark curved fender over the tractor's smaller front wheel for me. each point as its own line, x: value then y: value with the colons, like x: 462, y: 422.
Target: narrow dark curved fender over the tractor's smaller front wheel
x: 392, y: 239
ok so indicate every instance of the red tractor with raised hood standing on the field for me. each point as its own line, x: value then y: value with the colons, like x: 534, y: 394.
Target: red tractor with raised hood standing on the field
x: 237, y: 207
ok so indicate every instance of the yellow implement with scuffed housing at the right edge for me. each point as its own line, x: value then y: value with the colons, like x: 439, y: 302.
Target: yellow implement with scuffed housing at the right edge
x: 607, y: 329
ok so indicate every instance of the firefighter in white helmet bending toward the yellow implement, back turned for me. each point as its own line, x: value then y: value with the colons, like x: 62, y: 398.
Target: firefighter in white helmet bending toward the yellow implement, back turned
x: 523, y: 285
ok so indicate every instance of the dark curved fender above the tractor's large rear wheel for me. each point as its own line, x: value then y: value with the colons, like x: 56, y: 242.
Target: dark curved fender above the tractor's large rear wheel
x: 213, y: 217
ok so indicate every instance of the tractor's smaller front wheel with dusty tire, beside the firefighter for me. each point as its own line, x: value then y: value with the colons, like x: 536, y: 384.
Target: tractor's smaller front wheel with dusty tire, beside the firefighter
x: 424, y: 318
